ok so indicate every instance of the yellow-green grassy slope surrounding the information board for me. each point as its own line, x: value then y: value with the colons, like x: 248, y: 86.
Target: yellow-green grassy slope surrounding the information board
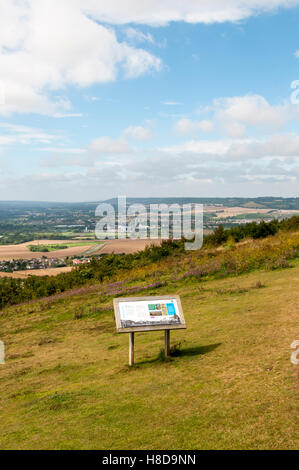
x: 229, y: 383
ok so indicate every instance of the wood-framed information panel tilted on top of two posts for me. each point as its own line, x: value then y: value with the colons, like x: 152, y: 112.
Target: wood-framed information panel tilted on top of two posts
x: 148, y: 313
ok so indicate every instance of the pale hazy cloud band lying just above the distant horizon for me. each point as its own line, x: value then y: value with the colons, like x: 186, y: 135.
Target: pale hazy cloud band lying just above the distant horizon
x: 217, y: 167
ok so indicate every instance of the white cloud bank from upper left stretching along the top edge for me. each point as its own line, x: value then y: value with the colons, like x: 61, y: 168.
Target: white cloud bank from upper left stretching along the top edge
x: 46, y: 45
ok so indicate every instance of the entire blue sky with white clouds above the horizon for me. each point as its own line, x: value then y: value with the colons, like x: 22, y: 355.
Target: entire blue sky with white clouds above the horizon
x: 146, y: 99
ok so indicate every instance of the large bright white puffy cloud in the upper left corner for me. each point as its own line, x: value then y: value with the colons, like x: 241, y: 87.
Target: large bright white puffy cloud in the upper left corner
x: 46, y: 45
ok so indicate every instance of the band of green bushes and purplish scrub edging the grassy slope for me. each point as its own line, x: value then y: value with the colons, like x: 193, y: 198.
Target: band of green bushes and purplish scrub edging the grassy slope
x: 139, y: 266
